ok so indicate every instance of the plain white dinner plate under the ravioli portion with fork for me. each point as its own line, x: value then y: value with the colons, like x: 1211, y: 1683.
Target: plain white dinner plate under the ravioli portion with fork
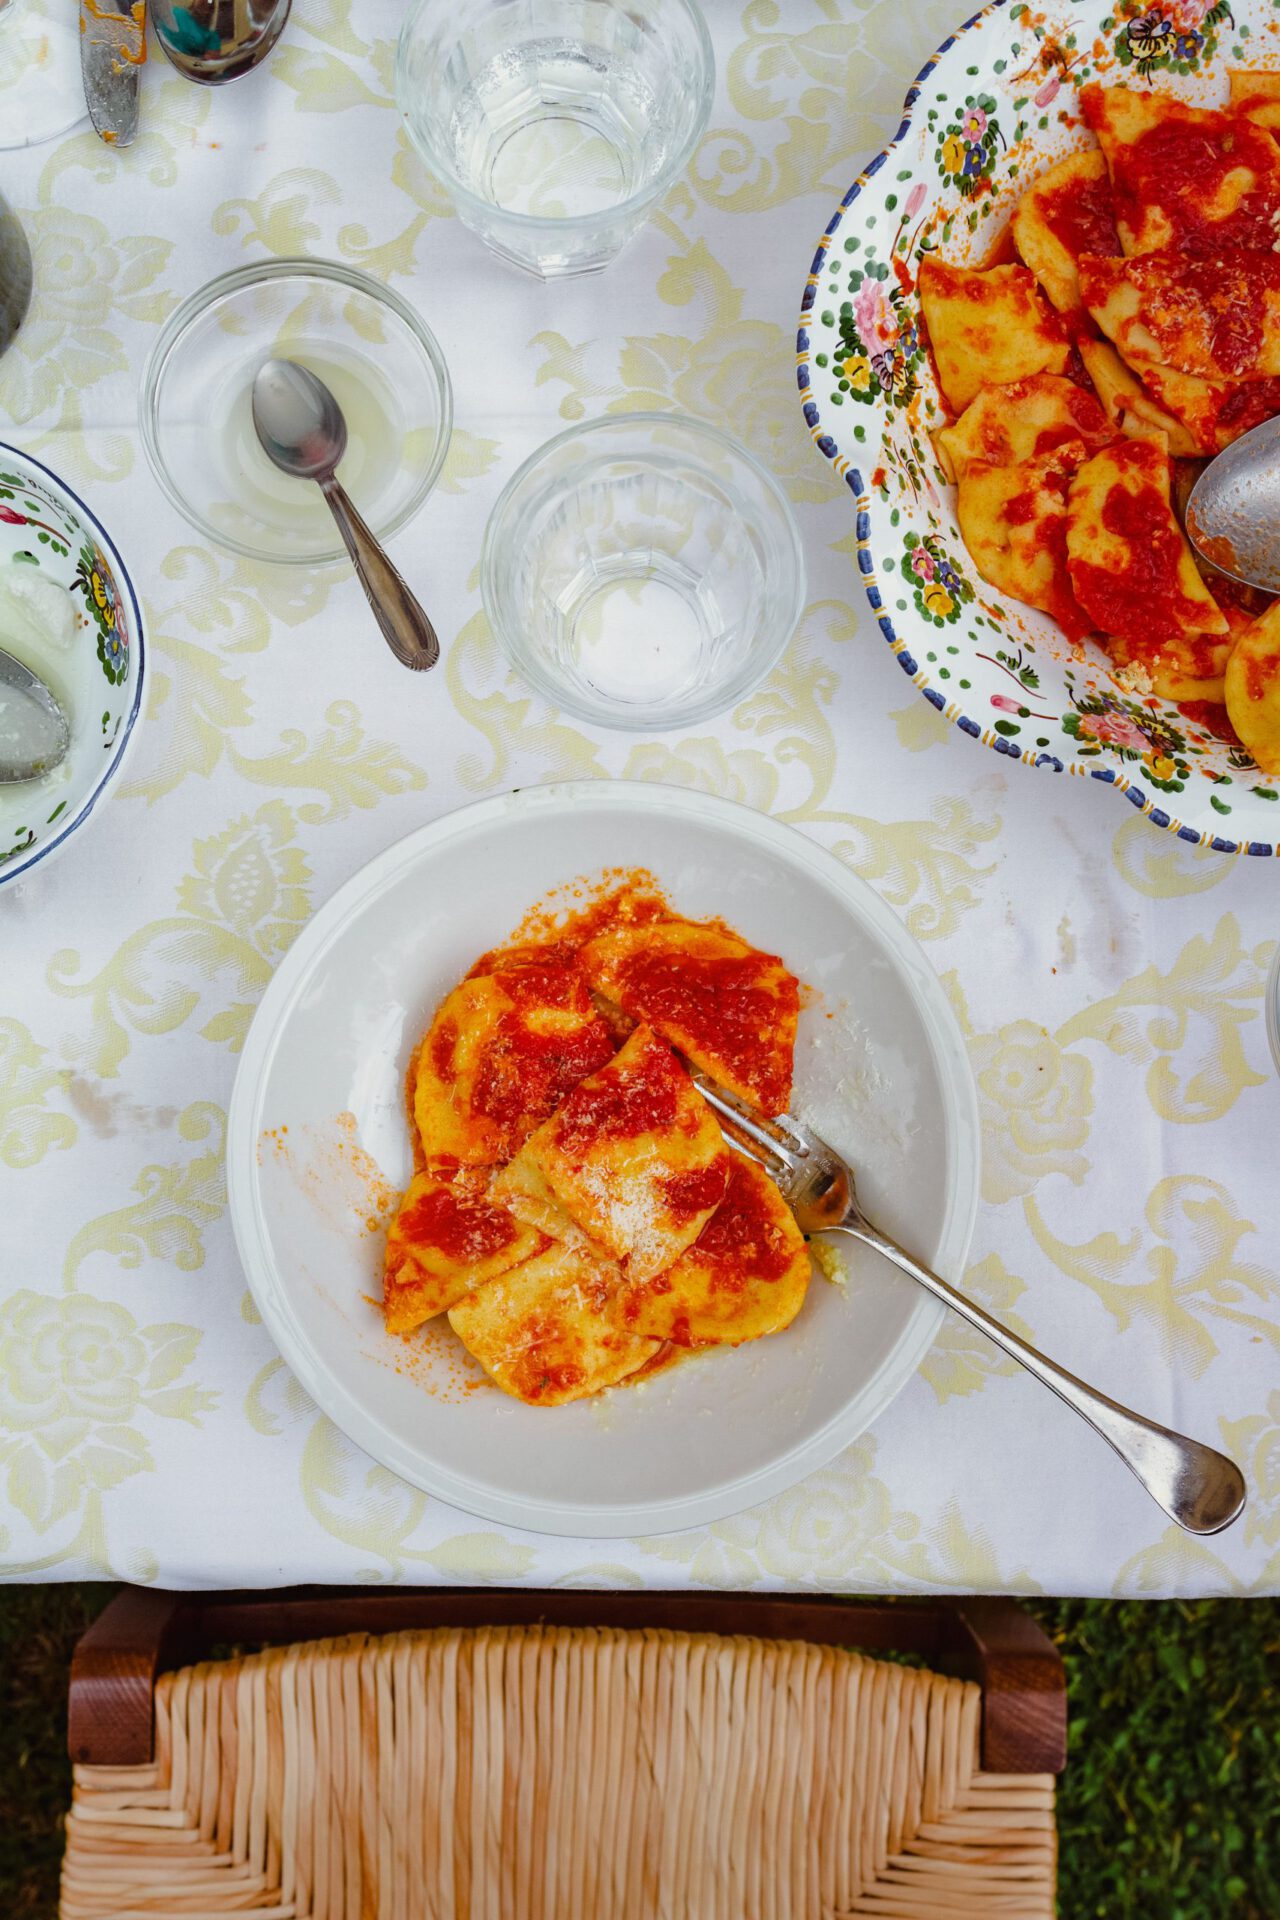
x: 318, y: 1120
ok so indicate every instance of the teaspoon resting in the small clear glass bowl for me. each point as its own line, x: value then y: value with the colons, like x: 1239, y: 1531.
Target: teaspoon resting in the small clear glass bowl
x: 302, y: 429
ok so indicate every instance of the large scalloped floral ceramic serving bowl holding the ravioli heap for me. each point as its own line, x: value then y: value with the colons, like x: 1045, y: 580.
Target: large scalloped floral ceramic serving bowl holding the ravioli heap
x: 993, y: 108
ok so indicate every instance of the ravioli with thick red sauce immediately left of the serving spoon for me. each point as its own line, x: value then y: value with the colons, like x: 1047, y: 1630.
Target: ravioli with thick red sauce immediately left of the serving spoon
x: 1129, y: 562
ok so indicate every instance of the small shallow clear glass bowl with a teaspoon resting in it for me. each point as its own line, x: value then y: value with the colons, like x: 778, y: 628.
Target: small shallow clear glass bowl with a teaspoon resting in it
x: 362, y: 339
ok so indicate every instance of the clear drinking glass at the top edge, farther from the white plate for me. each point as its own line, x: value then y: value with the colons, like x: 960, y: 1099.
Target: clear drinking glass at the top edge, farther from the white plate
x: 556, y: 124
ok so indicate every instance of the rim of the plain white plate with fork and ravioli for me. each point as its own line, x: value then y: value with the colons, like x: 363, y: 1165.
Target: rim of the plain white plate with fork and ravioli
x: 360, y: 1424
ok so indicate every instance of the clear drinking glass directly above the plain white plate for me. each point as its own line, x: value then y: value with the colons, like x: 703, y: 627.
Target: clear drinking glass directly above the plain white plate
x: 644, y: 571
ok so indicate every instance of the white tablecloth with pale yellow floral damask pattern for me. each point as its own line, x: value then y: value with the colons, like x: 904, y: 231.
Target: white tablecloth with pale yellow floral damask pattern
x: 1108, y: 978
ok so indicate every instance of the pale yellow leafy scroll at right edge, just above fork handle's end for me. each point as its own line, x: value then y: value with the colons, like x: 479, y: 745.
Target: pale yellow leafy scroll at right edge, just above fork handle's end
x: 1183, y: 1276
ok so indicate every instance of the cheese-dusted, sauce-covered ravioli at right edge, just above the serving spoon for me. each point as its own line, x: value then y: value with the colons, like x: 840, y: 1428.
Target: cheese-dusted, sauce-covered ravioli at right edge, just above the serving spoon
x: 1216, y: 318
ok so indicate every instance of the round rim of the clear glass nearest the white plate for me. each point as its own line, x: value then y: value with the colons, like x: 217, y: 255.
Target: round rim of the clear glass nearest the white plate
x: 554, y: 690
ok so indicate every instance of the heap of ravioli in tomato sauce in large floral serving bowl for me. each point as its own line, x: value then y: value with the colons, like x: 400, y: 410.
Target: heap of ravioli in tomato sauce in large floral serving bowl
x: 1133, y: 335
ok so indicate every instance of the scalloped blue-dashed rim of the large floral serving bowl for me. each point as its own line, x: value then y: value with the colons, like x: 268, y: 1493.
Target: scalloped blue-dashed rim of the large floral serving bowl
x: 863, y: 527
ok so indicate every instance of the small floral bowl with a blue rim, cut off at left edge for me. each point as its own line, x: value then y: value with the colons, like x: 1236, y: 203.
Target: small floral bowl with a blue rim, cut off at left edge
x: 99, y: 673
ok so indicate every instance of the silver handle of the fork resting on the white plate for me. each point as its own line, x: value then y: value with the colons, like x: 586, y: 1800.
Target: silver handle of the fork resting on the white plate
x: 1198, y: 1487
